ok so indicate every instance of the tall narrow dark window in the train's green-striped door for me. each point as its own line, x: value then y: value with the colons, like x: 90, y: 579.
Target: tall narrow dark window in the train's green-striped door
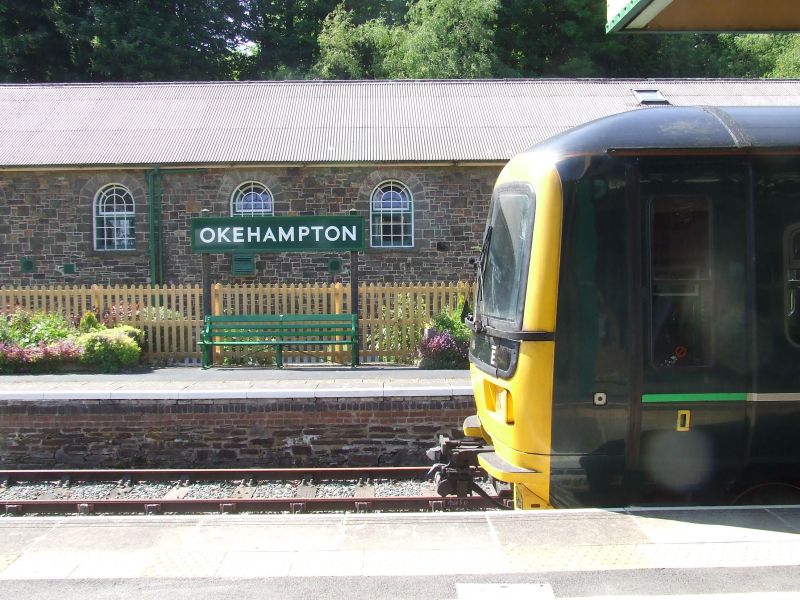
x: 680, y: 282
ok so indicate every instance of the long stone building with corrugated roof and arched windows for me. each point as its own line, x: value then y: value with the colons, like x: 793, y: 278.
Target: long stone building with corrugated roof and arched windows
x: 99, y: 183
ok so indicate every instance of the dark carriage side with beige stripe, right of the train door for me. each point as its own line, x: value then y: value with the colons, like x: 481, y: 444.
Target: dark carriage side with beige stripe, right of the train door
x: 773, y: 453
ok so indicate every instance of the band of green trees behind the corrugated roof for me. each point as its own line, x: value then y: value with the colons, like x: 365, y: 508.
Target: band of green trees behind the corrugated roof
x: 143, y: 40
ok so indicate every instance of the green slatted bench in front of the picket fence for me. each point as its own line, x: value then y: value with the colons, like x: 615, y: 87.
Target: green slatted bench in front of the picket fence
x: 278, y: 331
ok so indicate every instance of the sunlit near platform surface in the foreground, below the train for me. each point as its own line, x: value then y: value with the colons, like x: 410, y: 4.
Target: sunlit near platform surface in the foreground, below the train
x: 462, y: 548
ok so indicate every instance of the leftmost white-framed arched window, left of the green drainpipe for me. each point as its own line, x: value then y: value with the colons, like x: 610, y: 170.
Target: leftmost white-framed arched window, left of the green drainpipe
x: 114, y: 218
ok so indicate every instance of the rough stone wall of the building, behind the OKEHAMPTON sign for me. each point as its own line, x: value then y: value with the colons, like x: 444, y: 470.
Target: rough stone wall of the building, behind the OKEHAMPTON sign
x: 47, y: 216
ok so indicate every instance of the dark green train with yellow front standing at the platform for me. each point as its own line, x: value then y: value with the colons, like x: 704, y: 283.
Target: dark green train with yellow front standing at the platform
x: 636, y: 316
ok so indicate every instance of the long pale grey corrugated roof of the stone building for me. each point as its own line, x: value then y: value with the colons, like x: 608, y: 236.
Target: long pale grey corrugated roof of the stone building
x: 325, y: 121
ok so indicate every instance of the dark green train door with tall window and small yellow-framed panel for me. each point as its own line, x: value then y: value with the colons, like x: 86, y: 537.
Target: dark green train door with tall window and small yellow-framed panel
x: 689, y: 412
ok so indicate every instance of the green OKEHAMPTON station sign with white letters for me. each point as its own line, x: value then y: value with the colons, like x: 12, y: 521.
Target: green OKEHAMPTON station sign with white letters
x: 325, y: 233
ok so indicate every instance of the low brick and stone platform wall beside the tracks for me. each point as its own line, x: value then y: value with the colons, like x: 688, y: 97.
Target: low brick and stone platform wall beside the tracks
x: 225, y: 433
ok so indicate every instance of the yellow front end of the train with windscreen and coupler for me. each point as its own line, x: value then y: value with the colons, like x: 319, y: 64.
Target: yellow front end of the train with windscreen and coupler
x: 512, y: 347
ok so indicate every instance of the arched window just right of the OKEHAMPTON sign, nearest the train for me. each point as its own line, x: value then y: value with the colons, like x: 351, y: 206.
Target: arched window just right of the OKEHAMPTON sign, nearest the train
x: 391, y: 216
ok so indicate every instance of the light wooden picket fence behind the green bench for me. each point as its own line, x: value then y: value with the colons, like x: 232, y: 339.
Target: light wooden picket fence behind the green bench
x: 391, y: 317
